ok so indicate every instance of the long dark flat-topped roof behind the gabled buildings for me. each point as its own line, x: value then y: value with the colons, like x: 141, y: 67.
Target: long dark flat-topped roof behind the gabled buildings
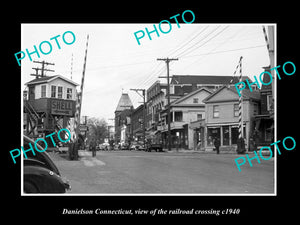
x: 206, y: 79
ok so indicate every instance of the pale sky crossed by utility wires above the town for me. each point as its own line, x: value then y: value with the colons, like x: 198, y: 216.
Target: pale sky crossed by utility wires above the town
x: 116, y: 63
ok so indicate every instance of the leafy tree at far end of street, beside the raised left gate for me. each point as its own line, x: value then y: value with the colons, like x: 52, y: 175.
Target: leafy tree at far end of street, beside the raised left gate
x: 97, y: 129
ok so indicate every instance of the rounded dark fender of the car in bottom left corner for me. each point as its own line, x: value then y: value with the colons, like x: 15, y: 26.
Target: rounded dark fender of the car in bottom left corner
x: 45, y: 180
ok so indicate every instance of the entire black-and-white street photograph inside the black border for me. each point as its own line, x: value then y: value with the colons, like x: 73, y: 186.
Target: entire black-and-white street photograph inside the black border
x: 167, y: 115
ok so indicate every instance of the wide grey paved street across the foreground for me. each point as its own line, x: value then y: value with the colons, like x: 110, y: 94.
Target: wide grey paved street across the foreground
x: 121, y: 172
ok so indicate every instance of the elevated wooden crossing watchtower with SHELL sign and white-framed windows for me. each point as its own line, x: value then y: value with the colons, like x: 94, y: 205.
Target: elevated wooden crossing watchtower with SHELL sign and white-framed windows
x: 49, y: 105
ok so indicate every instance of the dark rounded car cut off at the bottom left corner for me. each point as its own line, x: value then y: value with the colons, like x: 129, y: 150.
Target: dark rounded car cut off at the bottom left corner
x: 40, y: 173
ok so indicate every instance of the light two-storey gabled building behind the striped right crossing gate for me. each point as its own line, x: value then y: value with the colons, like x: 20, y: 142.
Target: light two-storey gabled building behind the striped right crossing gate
x: 222, y: 117
